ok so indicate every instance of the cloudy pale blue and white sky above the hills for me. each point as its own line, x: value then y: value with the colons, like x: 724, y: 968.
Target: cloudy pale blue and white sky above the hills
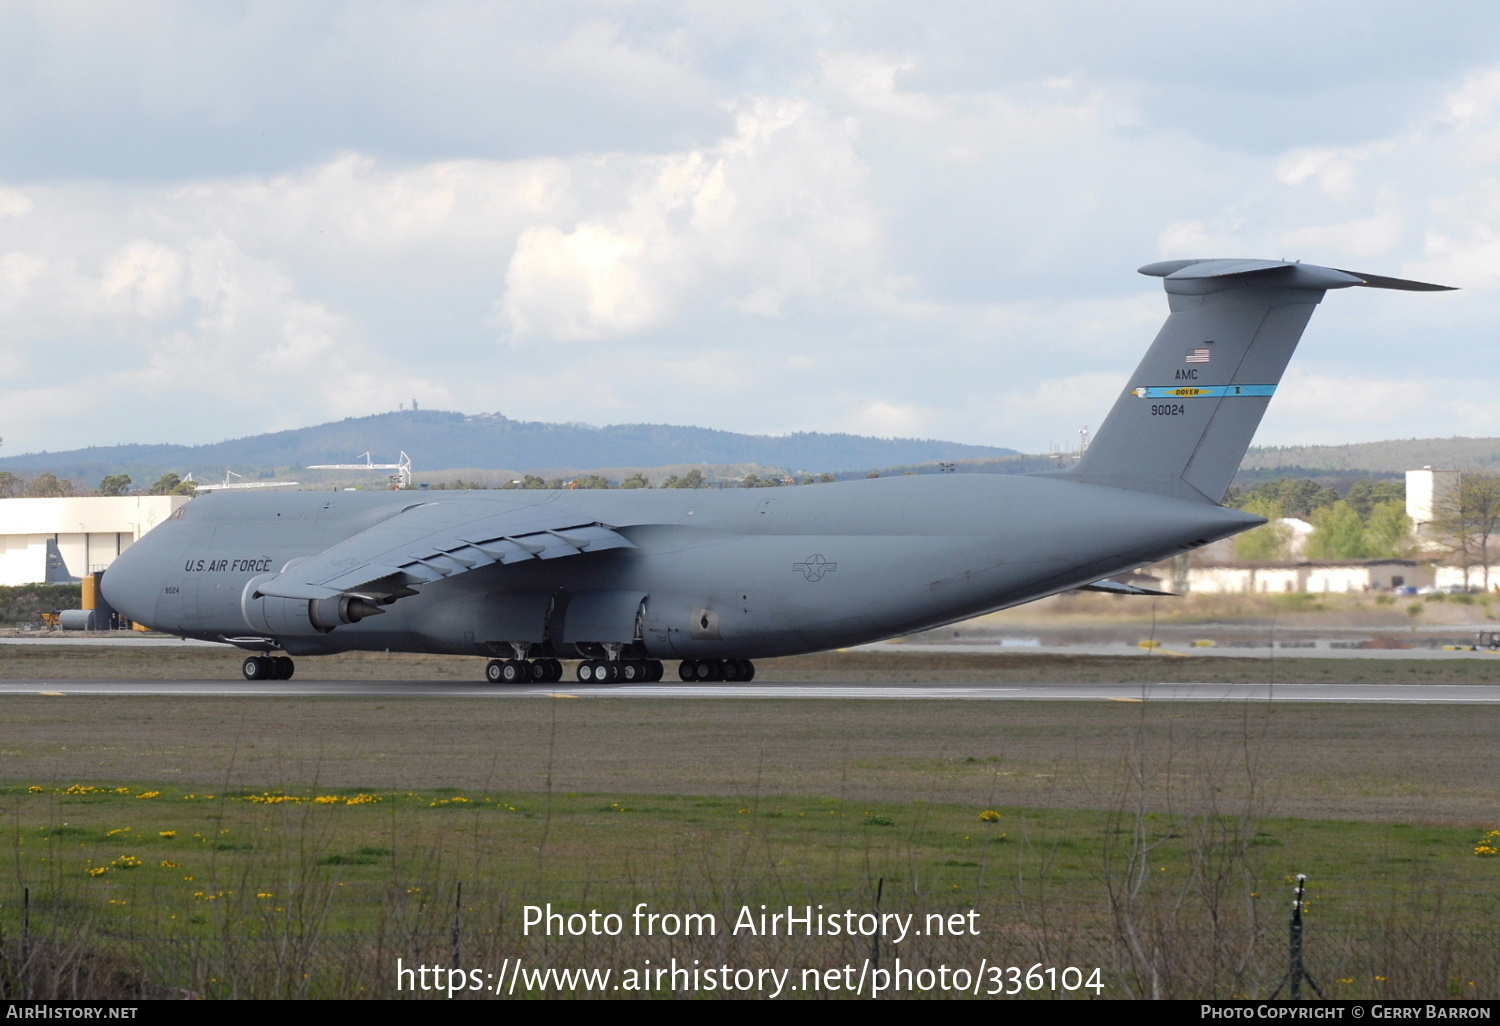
x: 220, y: 220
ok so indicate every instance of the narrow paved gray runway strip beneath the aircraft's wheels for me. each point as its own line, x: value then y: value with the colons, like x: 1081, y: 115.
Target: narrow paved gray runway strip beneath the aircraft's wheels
x: 1334, y: 694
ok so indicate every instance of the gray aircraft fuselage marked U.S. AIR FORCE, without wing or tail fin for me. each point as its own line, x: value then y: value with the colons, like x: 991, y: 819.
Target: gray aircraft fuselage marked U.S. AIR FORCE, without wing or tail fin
x: 710, y: 574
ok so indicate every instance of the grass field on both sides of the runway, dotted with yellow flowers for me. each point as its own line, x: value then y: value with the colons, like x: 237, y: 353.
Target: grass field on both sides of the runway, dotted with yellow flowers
x: 1154, y: 842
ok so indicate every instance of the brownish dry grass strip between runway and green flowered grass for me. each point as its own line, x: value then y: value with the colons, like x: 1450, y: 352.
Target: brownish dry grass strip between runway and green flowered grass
x: 1412, y: 764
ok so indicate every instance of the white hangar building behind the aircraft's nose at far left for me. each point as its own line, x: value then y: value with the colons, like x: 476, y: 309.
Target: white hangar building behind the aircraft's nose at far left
x: 89, y: 532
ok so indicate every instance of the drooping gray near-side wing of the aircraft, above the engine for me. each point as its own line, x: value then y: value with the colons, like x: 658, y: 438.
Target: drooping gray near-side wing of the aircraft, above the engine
x: 434, y: 541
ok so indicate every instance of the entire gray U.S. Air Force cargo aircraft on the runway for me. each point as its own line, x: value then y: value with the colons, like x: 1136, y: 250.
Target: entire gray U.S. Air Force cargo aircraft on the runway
x: 716, y: 578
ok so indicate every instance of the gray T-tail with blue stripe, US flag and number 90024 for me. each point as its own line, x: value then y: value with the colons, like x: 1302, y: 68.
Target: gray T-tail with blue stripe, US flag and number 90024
x: 1184, y: 422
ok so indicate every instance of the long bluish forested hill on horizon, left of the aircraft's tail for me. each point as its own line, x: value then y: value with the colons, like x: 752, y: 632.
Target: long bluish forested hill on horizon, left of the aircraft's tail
x: 437, y: 440
